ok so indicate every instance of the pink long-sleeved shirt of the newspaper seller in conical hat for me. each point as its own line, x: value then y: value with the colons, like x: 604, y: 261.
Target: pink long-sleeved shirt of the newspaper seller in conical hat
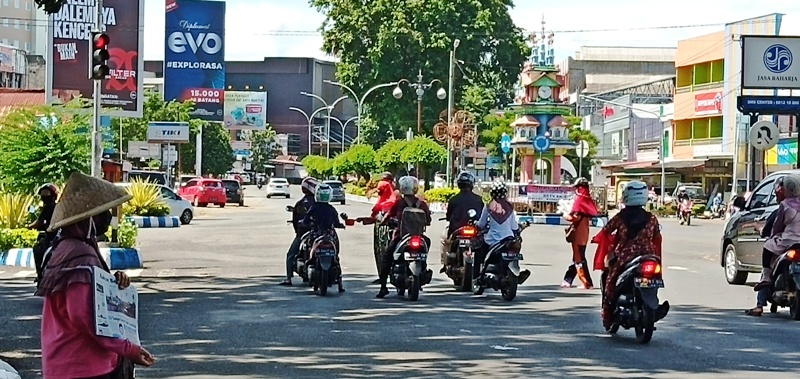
x: 70, y: 347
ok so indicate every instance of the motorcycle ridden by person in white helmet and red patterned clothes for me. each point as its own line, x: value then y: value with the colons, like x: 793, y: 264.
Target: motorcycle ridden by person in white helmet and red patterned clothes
x: 636, y: 303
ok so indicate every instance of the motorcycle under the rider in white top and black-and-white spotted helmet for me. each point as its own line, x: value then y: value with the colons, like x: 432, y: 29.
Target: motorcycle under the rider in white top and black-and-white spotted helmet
x: 500, y: 269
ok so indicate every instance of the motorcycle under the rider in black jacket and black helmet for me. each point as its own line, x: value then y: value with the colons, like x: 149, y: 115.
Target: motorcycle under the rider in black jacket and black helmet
x: 458, y: 253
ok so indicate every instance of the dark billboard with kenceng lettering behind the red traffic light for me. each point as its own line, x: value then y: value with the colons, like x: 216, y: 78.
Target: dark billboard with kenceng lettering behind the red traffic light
x: 68, y: 54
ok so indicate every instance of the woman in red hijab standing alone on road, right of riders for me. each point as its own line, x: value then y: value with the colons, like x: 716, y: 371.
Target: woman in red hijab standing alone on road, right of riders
x: 583, y: 210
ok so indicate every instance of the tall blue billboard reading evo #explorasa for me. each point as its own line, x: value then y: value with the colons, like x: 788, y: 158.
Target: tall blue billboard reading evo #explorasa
x: 194, y: 56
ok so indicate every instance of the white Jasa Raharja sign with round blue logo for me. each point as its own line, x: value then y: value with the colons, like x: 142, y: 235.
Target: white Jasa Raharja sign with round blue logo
x: 768, y: 62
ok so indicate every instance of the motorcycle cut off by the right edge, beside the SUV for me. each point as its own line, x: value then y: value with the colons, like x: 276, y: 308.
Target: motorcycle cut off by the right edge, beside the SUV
x: 786, y: 282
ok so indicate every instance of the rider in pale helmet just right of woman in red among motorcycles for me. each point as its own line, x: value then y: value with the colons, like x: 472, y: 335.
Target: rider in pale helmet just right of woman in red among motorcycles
x: 408, y: 186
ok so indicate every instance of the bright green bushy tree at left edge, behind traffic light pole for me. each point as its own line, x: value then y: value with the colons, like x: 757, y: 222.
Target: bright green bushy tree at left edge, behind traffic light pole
x: 33, y: 153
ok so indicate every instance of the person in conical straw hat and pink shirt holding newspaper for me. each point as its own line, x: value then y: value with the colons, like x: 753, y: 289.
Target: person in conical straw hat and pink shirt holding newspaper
x: 68, y: 320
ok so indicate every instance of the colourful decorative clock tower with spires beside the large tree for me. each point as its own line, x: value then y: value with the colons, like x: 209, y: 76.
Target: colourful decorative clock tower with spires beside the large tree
x: 541, y: 133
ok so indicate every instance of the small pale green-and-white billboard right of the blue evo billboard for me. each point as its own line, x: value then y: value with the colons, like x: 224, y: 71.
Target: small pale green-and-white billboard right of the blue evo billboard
x: 245, y: 110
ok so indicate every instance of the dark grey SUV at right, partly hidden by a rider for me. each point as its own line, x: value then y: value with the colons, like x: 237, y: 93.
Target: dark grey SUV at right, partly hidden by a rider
x: 741, y: 239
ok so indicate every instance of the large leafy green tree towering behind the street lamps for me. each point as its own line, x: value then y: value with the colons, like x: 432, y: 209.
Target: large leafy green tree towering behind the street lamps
x: 384, y: 41
